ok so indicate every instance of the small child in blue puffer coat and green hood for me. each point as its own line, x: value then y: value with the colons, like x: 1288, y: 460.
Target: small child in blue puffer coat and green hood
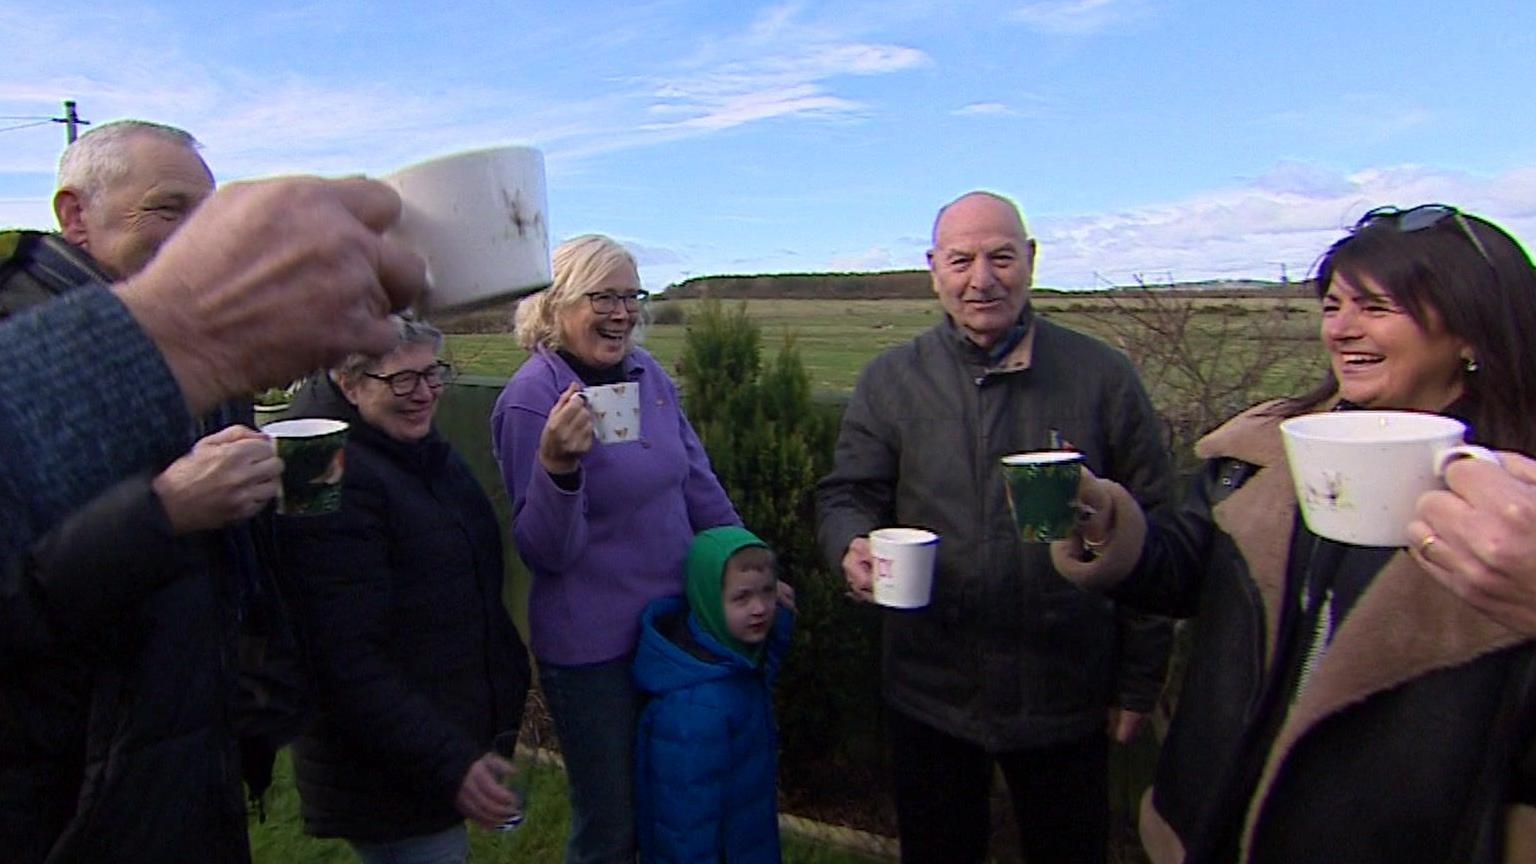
x: 707, y: 749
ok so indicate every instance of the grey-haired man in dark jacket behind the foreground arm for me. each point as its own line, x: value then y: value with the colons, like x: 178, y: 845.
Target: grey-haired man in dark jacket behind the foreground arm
x: 122, y: 628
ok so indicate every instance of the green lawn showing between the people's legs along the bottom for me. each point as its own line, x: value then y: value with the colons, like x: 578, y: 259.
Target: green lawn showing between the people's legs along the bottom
x: 541, y: 839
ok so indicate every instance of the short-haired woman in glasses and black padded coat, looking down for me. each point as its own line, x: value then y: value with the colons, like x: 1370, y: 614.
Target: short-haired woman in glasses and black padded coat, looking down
x: 399, y: 594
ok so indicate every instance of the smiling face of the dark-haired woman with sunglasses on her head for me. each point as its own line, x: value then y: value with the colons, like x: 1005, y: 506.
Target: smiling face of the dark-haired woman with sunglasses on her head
x: 1382, y: 357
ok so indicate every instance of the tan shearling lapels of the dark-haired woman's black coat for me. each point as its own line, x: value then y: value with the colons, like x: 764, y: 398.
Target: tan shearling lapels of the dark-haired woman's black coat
x: 1405, y: 626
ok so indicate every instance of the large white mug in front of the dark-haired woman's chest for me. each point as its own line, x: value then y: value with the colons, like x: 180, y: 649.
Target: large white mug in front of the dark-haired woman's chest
x: 1359, y: 474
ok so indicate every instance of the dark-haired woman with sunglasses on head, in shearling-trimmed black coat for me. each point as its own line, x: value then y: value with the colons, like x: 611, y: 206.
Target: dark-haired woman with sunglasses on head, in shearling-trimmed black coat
x: 1340, y: 703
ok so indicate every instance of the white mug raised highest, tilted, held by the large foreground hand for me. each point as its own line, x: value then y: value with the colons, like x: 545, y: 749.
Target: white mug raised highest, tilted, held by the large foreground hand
x: 480, y: 221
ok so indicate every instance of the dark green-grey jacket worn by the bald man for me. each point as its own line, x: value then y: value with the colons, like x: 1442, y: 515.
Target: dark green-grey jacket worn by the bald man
x: 1008, y: 656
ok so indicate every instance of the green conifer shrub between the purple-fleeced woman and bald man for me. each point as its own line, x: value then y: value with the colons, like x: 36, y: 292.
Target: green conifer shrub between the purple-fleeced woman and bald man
x: 770, y: 442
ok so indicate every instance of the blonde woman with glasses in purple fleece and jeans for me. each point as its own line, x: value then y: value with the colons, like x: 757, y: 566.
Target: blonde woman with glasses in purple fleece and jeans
x: 604, y: 528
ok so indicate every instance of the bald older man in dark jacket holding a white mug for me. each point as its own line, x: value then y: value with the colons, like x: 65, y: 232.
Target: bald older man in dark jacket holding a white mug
x: 1010, y: 665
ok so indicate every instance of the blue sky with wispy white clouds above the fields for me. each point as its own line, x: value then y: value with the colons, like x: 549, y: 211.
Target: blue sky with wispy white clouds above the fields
x: 1165, y: 139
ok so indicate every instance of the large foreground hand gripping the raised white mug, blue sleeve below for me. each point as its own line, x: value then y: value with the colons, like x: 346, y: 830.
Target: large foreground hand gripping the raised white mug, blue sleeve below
x: 273, y: 279
